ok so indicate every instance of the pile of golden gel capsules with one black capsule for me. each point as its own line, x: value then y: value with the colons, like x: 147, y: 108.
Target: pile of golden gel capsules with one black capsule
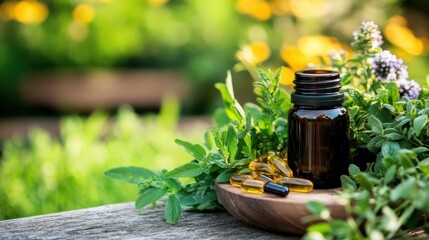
x: 270, y: 173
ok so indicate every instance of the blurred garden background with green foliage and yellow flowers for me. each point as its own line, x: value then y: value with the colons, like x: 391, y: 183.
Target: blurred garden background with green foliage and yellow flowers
x: 74, y: 63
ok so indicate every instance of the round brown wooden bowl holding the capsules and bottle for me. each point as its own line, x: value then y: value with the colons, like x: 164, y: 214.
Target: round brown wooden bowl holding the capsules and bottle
x: 272, y: 212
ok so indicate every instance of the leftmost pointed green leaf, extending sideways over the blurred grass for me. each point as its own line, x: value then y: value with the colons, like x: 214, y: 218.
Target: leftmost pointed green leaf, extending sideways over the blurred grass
x: 134, y: 175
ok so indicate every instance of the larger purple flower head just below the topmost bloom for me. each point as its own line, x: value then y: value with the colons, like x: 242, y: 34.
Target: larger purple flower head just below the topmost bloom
x: 387, y: 67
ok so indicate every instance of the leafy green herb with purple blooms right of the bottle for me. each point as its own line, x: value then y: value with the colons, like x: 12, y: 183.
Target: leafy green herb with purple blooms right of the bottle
x: 387, y: 195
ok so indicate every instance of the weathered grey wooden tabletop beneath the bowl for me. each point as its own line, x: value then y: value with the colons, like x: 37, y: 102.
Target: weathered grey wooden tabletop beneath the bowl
x: 120, y: 221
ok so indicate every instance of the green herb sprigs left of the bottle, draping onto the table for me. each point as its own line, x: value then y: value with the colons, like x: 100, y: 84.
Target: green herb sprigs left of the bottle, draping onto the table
x: 240, y: 135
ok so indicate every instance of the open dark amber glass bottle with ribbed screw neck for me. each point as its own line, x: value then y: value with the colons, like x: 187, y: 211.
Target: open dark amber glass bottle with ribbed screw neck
x: 318, y: 145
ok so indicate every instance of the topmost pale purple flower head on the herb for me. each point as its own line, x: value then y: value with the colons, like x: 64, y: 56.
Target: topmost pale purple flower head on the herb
x: 367, y: 38
